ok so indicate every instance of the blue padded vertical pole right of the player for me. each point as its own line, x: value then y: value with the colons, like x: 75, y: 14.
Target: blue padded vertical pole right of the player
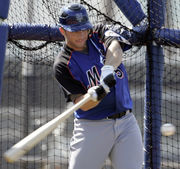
x: 154, y: 72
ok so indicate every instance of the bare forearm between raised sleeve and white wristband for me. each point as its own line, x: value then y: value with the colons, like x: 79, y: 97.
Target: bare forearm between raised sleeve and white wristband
x: 114, y: 54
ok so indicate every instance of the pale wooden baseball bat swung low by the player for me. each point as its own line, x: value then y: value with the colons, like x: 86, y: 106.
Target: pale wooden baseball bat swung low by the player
x: 24, y: 145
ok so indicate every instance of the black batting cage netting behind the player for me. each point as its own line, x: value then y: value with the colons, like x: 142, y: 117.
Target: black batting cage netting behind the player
x: 31, y: 97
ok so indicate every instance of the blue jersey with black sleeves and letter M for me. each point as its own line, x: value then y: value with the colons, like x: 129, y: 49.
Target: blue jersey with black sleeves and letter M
x: 78, y: 71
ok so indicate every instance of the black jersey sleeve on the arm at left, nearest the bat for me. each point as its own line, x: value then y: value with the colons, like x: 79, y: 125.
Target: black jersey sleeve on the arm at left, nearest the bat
x: 70, y: 86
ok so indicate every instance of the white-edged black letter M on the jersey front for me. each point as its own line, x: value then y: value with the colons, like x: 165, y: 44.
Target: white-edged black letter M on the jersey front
x: 93, y: 77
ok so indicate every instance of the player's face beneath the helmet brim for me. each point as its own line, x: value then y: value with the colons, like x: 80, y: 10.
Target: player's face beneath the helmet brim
x: 76, y: 40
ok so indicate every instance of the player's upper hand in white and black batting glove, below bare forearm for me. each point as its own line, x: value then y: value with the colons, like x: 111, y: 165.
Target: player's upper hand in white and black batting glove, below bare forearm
x: 107, y: 79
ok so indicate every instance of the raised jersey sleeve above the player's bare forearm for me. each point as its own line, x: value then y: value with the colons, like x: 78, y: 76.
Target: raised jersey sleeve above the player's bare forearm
x: 108, y: 33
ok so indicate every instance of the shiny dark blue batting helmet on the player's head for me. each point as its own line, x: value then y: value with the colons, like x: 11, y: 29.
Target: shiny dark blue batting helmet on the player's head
x: 74, y: 18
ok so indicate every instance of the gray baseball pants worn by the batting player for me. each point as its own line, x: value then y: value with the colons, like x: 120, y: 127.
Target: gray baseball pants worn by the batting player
x: 95, y: 140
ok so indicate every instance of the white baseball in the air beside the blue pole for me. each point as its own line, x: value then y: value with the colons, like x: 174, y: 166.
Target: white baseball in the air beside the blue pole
x: 168, y: 129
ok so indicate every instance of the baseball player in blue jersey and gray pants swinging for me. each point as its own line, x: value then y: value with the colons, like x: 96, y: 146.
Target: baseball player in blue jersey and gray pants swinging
x: 91, y: 61
